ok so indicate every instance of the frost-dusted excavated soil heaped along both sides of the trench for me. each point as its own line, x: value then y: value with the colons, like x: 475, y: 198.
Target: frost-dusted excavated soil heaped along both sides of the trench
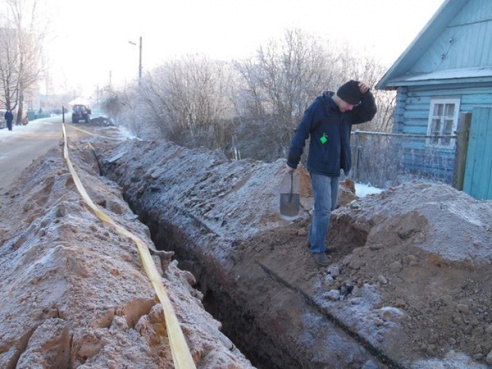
x: 408, y: 285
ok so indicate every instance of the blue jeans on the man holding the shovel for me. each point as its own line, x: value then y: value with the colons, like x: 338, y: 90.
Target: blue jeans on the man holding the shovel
x: 325, y: 192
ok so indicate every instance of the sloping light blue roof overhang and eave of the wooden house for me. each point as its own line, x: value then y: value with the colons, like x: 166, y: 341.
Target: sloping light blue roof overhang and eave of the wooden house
x: 398, y: 74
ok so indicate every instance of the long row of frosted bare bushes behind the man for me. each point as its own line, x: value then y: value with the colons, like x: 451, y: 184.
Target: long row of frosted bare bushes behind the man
x: 247, y: 108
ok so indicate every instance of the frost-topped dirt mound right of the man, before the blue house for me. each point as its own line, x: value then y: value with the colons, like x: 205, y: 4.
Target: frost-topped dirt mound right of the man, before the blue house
x: 428, y: 252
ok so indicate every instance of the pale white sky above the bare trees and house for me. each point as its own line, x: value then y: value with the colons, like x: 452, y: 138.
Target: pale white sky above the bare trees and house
x: 89, y: 40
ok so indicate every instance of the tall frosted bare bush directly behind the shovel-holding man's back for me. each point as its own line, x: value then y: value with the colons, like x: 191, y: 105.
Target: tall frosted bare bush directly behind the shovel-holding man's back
x: 278, y: 85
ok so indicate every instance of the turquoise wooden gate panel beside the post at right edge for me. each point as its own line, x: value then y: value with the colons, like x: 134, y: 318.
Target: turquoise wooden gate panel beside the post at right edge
x: 478, y: 172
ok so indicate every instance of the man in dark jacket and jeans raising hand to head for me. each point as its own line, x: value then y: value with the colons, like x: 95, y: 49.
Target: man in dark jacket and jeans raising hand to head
x: 328, y: 121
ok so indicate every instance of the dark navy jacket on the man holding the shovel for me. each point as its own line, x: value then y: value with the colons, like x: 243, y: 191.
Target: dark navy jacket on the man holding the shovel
x: 323, y: 119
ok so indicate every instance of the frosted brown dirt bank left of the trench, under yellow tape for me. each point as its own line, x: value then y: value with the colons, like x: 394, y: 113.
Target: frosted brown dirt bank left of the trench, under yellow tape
x: 74, y: 294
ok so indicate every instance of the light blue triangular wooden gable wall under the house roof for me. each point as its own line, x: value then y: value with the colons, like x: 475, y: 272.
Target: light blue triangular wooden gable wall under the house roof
x: 465, y: 43
